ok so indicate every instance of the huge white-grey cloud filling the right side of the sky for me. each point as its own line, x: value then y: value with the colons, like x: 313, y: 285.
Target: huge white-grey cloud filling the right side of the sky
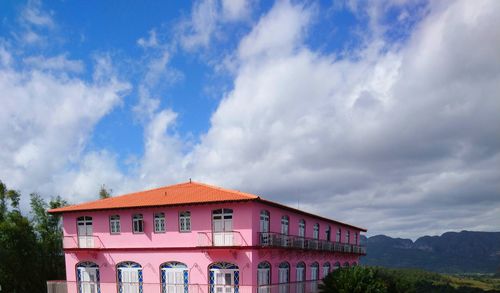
x: 400, y: 135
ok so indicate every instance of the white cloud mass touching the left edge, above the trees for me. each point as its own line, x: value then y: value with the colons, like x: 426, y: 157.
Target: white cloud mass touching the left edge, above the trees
x: 46, y: 121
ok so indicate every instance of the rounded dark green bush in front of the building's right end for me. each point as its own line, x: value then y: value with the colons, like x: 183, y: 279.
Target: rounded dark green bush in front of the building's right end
x: 356, y: 279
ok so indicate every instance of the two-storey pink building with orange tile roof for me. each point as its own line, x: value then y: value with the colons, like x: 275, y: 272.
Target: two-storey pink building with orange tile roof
x: 193, y: 237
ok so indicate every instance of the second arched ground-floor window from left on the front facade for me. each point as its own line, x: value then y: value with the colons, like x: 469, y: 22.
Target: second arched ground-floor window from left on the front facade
x: 129, y: 275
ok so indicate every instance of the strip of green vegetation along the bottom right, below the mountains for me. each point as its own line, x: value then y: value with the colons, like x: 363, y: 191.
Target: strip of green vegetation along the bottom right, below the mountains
x: 376, y: 279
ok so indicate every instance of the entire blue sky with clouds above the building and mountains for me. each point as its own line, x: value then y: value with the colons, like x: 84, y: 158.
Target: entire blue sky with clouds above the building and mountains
x: 382, y: 114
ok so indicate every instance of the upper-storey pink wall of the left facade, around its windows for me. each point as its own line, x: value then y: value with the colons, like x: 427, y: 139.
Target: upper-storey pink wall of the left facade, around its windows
x: 201, y: 221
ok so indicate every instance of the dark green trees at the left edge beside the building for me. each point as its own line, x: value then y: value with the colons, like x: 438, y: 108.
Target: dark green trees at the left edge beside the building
x: 30, y: 248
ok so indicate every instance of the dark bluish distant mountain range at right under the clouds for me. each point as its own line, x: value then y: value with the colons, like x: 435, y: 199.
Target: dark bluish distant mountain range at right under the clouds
x: 452, y: 252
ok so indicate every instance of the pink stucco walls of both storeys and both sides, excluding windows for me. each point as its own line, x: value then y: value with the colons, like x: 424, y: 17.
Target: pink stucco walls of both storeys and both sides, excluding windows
x: 151, y: 249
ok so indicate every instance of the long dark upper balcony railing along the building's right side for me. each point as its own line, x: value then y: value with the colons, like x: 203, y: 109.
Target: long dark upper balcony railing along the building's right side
x: 271, y: 239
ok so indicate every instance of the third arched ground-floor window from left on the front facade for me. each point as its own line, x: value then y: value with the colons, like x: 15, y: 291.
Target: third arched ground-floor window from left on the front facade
x: 174, y: 277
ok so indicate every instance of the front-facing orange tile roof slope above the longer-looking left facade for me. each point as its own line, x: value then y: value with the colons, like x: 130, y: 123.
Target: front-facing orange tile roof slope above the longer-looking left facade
x: 179, y: 194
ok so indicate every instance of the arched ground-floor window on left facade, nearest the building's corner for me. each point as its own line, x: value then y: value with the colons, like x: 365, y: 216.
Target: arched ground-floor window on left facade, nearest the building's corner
x: 224, y: 277
